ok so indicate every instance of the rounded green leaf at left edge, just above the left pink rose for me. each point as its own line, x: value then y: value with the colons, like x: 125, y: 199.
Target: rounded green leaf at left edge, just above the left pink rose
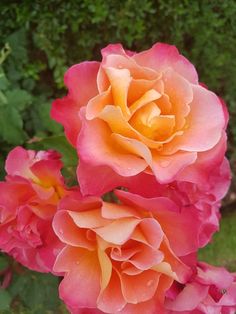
x: 11, y: 126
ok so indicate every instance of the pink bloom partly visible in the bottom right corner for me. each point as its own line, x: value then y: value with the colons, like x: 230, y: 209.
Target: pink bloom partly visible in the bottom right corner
x: 211, y: 290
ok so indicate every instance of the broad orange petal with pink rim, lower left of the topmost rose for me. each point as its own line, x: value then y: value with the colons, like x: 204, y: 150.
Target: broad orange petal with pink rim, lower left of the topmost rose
x: 97, y: 146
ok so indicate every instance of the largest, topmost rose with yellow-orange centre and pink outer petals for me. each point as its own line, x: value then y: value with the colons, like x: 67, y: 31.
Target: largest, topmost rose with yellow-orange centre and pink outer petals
x: 138, y: 112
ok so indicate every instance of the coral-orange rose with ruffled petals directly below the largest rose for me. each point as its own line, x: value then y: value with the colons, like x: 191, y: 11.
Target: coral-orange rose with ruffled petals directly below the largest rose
x: 122, y: 258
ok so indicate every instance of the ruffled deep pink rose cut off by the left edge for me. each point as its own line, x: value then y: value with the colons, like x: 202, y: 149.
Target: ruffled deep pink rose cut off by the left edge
x: 28, y: 202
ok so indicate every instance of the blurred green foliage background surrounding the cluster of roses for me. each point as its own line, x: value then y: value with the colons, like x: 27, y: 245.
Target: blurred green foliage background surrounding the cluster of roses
x: 39, y: 40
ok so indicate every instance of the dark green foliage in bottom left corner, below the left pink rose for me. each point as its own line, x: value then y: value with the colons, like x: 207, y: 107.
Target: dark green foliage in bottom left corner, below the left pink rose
x: 30, y: 292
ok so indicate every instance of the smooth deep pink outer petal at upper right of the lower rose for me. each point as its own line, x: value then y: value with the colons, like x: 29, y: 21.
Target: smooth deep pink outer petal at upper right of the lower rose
x: 183, y: 235
